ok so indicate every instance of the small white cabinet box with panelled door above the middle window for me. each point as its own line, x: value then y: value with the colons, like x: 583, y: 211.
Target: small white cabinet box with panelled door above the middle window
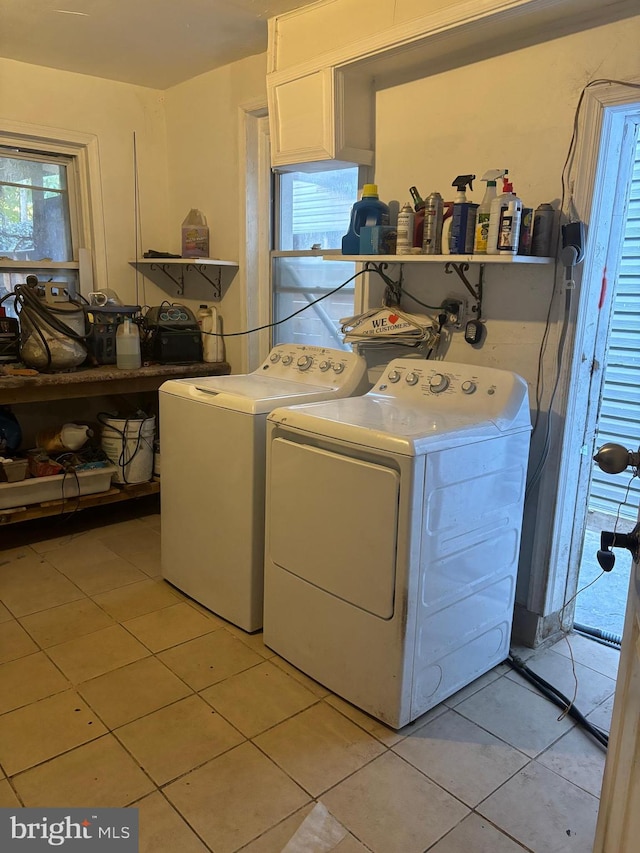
x: 322, y: 116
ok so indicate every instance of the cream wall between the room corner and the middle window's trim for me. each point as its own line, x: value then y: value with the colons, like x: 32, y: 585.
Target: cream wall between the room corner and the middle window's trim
x: 204, y: 127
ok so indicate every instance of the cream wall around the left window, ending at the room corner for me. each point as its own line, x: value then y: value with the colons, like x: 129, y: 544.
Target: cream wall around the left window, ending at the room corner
x: 112, y: 112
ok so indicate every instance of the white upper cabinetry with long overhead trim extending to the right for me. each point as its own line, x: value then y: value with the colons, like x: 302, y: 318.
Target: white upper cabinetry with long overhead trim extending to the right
x: 326, y: 60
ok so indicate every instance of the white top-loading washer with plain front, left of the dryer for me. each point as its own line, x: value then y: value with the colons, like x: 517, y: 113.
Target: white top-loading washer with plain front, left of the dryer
x: 212, y: 439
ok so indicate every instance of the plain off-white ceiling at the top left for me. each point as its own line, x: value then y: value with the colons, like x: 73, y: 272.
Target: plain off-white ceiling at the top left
x: 156, y: 43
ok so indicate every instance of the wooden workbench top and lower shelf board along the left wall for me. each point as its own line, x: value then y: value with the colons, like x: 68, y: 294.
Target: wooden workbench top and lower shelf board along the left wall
x: 105, y: 380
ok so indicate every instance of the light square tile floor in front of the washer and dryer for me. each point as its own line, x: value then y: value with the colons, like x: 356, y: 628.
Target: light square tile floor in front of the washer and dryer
x: 117, y: 690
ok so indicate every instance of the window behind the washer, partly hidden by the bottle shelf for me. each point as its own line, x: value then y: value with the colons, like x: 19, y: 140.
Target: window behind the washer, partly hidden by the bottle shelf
x: 311, y: 209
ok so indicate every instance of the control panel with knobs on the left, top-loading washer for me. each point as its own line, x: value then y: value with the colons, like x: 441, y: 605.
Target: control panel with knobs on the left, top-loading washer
x: 315, y: 365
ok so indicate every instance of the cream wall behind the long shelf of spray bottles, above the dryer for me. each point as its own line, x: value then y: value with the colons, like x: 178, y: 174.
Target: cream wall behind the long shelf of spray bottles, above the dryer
x: 516, y: 111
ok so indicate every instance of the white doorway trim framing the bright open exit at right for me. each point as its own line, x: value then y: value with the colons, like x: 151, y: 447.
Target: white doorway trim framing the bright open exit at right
x: 602, y: 164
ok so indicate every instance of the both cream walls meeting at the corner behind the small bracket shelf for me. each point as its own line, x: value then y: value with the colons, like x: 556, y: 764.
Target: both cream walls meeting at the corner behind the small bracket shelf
x: 188, y: 144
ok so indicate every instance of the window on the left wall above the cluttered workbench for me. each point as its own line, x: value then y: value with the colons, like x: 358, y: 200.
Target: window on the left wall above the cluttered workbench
x: 38, y: 225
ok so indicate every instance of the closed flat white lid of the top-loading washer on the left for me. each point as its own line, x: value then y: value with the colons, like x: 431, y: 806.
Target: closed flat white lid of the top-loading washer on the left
x: 247, y: 393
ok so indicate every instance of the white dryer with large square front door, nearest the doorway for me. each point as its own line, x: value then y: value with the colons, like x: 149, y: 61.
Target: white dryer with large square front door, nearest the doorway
x: 392, y: 534
